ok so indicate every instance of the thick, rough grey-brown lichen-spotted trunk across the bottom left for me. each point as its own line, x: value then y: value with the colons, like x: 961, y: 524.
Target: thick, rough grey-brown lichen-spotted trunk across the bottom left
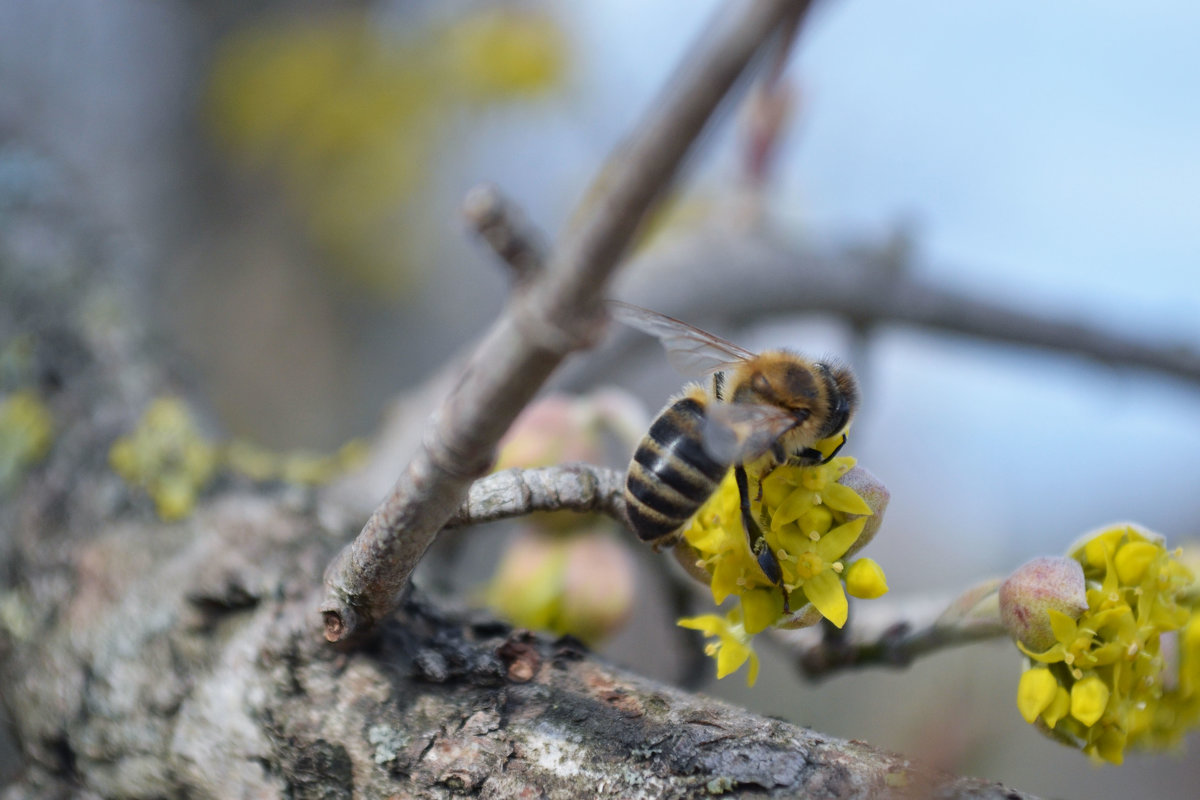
x: 141, y: 659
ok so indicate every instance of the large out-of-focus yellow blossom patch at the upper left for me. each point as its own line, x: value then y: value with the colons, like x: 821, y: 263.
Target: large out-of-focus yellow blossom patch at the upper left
x: 352, y: 117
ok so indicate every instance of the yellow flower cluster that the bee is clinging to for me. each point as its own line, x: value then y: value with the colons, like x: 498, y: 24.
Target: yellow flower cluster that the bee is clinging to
x: 813, y: 524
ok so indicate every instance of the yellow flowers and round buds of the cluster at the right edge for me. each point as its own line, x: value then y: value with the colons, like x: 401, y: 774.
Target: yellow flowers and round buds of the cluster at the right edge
x: 1126, y: 673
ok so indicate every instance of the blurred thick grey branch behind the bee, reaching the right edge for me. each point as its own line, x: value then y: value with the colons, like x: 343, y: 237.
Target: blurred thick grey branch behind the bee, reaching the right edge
x: 691, y: 278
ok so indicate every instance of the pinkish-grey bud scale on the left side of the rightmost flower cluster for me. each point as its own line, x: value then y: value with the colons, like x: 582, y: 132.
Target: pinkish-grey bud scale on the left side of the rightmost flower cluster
x: 1034, y: 591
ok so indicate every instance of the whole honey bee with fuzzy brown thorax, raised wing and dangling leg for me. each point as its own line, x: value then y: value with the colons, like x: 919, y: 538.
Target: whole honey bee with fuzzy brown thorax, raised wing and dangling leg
x: 766, y: 408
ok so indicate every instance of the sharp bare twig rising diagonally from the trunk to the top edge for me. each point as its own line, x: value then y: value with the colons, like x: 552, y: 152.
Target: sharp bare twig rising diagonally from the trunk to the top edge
x: 559, y: 314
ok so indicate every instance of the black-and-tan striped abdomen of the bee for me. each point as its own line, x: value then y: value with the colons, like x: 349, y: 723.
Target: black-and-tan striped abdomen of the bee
x: 671, y: 476
